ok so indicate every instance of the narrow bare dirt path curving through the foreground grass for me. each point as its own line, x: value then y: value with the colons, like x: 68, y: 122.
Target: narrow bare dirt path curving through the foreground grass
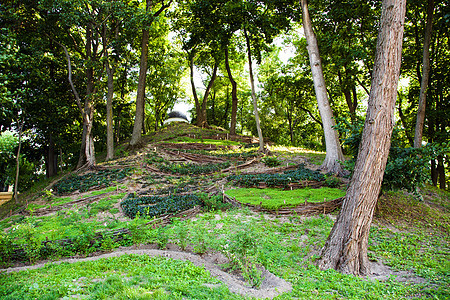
x: 271, y: 286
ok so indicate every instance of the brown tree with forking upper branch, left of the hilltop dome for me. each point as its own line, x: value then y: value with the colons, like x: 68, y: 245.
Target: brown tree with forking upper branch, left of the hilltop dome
x: 140, y: 96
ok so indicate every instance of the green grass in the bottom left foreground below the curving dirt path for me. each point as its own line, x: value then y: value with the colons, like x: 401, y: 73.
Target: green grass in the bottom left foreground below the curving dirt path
x: 124, y: 277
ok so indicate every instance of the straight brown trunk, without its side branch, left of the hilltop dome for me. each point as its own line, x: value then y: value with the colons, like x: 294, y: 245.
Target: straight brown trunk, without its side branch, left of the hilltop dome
x: 140, y: 96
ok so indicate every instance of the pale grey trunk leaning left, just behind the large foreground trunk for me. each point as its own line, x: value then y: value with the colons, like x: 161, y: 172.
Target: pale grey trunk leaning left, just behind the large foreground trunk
x: 334, y: 152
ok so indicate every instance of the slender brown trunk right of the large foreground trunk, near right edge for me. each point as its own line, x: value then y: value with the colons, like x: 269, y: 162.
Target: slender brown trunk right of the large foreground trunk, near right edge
x: 425, y: 77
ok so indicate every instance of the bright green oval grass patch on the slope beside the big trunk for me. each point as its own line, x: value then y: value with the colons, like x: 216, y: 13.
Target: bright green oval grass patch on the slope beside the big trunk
x: 275, y: 198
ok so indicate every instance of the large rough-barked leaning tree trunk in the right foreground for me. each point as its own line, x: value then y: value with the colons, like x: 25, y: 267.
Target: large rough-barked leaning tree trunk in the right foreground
x: 346, y: 246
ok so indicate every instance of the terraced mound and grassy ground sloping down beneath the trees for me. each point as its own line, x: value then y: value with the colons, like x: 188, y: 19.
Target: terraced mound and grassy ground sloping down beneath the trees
x: 79, y: 236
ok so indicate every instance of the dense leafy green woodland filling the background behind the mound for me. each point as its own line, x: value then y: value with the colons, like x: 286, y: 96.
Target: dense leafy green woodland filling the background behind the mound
x: 73, y: 76
